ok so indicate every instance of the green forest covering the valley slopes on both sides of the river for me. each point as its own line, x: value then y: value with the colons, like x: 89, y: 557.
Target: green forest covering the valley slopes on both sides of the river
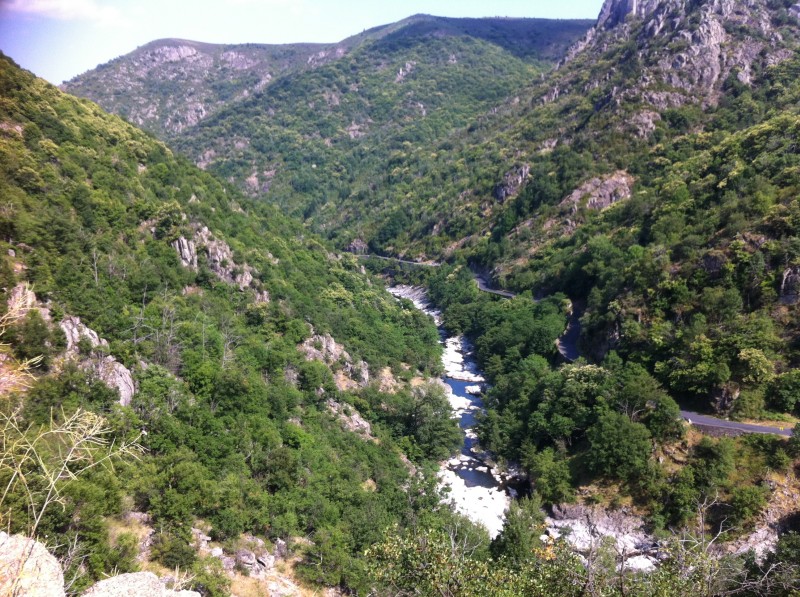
x: 641, y: 186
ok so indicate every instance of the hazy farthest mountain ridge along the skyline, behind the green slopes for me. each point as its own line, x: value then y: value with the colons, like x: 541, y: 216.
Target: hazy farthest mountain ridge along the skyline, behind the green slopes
x: 169, y: 85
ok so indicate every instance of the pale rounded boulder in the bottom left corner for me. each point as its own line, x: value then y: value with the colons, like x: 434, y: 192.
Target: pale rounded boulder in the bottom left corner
x: 27, y: 569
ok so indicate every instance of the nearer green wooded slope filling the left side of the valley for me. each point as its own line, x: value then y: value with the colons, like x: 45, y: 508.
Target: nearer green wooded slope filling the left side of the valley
x: 239, y: 344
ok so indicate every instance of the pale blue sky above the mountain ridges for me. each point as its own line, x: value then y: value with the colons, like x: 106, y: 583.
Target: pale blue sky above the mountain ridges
x: 58, y: 39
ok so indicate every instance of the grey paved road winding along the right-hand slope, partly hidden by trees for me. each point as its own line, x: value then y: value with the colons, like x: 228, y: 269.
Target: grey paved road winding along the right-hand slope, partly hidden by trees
x: 567, y: 345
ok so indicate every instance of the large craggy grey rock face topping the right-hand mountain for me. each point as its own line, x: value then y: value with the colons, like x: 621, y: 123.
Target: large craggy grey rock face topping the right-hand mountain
x: 691, y: 47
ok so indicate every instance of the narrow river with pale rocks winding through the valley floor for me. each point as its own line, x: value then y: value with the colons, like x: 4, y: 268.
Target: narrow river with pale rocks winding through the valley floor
x: 473, y: 488
